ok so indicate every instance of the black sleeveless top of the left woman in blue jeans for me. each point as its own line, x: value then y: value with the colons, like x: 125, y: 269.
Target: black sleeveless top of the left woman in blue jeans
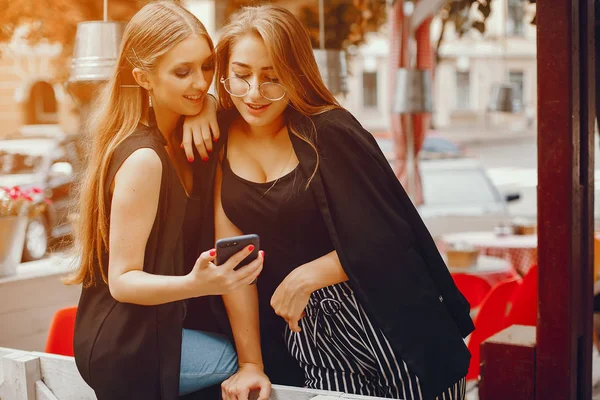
x: 129, y: 351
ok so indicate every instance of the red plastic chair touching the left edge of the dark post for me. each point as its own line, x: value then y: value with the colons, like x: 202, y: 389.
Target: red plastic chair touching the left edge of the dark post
x: 524, y: 301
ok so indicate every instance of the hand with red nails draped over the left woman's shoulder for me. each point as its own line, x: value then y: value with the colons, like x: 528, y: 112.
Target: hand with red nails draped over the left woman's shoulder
x: 197, y: 130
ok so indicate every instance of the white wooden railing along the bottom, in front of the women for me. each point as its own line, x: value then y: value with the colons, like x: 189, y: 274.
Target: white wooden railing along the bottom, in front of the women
x: 41, y: 376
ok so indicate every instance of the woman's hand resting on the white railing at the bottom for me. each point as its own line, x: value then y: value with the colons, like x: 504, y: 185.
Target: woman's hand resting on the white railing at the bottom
x: 248, y: 377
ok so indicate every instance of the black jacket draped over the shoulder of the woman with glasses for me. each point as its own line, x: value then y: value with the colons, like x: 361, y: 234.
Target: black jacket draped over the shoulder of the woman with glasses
x: 385, y: 249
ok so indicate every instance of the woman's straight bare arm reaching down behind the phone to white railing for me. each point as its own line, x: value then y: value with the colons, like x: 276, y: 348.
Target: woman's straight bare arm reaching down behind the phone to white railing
x: 242, y: 310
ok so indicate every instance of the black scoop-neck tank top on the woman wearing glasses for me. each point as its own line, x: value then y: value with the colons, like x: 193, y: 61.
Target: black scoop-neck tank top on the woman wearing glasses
x: 292, y: 232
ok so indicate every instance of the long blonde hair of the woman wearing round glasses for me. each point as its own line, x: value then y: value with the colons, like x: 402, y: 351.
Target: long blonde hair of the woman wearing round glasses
x: 289, y: 47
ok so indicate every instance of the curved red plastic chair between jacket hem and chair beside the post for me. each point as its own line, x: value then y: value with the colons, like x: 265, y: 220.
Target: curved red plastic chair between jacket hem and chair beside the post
x: 490, y: 320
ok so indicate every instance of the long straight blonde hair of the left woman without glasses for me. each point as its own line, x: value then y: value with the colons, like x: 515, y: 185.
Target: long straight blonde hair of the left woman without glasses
x: 151, y: 33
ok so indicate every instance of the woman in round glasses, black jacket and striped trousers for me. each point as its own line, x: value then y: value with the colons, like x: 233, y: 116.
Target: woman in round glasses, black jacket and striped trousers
x: 354, y: 296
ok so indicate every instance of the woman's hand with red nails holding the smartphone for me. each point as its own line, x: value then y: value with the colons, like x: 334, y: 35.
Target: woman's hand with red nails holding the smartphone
x: 209, y: 279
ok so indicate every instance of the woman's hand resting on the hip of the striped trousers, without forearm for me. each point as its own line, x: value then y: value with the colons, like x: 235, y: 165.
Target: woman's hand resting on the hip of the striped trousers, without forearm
x: 291, y: 298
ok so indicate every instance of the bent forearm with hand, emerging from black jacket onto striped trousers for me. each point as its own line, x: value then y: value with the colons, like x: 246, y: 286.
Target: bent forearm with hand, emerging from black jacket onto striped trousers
x: 291, y: 296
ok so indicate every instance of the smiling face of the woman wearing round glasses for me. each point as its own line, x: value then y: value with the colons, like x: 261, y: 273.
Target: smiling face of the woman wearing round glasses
x: 249, y: 59
